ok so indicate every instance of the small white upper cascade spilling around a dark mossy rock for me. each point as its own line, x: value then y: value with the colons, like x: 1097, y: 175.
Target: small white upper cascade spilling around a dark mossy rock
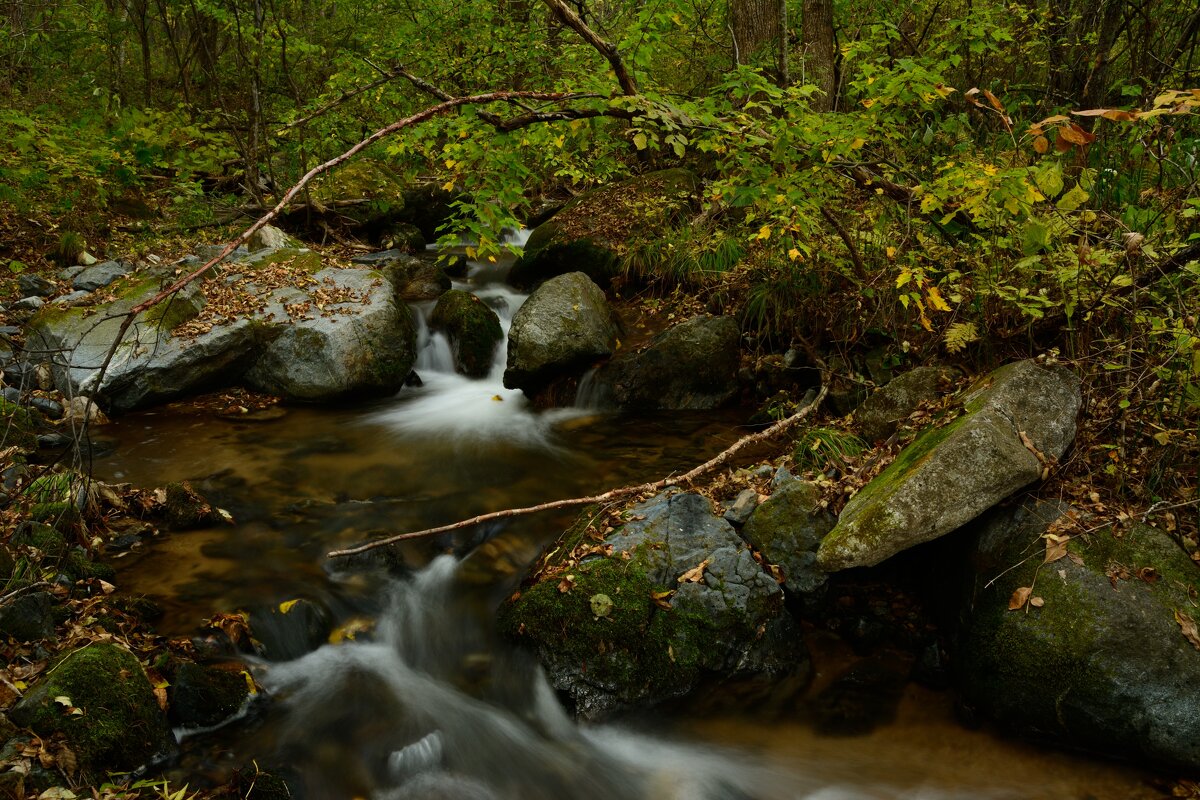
x: 471, y: 412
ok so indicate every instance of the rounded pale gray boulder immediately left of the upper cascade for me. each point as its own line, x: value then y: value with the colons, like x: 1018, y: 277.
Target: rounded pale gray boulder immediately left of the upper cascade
x: 362, y: 346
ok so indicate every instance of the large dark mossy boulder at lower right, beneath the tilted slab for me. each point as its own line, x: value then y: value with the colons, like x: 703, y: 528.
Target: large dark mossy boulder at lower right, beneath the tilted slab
x: 1100, y: 659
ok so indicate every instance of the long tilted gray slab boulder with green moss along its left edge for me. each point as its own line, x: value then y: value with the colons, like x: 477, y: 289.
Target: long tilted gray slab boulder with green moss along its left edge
x: 952, y: 474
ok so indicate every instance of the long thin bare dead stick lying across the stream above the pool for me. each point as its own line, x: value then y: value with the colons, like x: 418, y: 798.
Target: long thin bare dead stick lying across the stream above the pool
x: 721, y: 460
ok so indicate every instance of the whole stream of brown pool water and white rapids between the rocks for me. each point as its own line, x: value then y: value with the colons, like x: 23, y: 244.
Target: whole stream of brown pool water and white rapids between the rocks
x: 429, y: 703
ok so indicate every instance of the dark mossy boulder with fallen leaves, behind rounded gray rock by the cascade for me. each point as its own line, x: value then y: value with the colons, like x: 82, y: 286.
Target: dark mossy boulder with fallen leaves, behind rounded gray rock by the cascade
x: 595, y: 232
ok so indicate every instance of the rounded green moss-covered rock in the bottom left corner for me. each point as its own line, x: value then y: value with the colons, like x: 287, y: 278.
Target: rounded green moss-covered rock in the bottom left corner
x: 100, y: 700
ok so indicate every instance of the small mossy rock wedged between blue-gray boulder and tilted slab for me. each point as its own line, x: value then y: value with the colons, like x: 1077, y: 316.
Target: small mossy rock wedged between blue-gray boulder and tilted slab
x: 788, y: 528
